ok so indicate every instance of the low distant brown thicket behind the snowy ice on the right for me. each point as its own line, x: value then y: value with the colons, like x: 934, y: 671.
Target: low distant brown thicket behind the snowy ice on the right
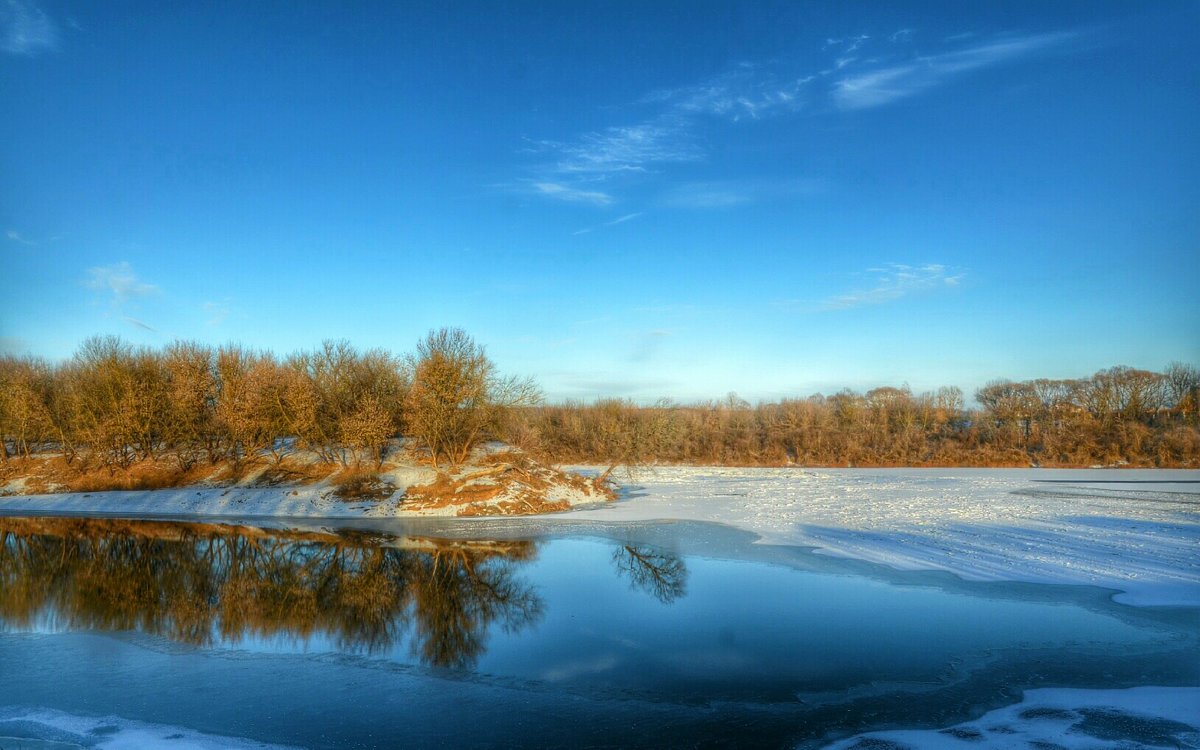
x: 1119, y: 416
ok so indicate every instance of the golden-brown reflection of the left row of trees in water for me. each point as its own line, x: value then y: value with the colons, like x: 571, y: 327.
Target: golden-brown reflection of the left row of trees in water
x: 203, y: 584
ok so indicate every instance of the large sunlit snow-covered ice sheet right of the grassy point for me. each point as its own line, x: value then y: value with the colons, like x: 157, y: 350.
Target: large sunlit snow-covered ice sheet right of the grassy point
x: 1133, y: 531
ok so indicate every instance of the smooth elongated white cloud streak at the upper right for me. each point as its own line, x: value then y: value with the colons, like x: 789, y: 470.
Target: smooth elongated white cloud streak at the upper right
x: 891, y: 83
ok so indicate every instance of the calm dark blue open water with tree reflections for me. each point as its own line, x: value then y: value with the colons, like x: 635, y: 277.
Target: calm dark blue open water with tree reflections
x: 661, y: 635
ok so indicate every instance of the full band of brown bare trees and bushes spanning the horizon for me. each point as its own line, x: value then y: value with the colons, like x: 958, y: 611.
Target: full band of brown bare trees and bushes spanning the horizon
x: 115, y: 405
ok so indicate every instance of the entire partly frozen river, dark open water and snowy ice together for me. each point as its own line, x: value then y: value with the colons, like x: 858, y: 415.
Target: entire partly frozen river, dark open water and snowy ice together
x: 709, y: 608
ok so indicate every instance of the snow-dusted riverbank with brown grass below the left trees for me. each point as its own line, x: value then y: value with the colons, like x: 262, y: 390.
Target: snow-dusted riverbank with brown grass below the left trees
x: 496, y: 482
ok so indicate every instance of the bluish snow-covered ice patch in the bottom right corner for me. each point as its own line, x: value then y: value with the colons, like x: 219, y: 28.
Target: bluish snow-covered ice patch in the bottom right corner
x: 1064, y: 719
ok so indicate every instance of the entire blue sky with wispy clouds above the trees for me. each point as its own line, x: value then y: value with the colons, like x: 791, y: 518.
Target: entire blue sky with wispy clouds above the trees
x: 622, y: 200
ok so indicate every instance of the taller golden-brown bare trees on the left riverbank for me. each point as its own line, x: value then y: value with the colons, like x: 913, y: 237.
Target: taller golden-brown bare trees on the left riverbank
x: 116, y: 405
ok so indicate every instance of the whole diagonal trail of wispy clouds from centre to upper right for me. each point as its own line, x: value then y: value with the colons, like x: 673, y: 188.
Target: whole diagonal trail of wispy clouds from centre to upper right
x: 859, y: 73
